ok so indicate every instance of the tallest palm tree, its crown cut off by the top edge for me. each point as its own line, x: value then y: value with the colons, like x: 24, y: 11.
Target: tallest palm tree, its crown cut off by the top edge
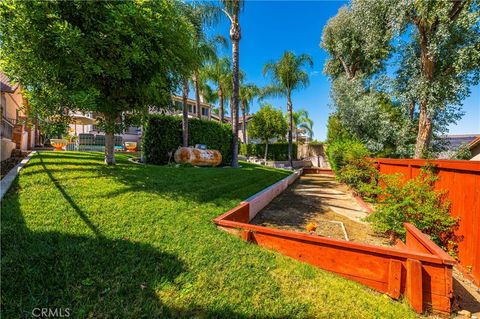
x: 232, y: 9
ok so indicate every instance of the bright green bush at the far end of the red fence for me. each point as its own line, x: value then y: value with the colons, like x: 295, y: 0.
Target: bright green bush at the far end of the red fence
x: 340, y: 152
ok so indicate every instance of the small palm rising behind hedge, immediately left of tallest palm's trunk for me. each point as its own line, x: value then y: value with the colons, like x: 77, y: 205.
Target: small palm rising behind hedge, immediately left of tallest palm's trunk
x: 220, y: 73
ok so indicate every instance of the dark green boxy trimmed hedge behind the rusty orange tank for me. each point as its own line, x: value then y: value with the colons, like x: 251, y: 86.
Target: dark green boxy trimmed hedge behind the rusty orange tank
x: 163, y: 134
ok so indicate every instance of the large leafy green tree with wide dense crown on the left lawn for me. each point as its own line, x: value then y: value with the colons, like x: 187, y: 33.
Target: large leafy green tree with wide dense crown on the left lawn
x: 105, y: 57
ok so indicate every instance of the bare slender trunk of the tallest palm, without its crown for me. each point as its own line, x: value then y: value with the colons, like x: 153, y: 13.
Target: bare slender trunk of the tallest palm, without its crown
x: 235, y: 38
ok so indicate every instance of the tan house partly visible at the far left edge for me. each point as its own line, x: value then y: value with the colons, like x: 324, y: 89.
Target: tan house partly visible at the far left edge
x: 15, y: 134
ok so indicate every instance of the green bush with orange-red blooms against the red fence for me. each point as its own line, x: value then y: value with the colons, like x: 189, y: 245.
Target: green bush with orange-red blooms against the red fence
x: 416, y: 202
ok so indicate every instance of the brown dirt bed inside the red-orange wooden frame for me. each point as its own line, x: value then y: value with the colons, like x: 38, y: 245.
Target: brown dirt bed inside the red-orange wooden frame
x: 320, y: 199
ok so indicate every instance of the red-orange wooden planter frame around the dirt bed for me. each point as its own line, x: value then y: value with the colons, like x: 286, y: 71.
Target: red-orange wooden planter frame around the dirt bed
x: 418, y: 269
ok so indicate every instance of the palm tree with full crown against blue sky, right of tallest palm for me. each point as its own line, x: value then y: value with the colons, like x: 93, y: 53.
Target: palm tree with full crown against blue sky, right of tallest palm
x: 287, y: 74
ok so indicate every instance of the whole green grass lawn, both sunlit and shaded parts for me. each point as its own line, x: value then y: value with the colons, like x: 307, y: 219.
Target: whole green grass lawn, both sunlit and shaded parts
x: 138, y: 241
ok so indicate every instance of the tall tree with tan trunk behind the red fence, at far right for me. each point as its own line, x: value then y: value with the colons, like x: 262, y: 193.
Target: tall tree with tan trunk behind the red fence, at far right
x: 443, y: 58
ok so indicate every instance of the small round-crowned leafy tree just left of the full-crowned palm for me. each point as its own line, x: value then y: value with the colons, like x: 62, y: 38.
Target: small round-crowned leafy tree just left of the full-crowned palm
x: 268, y: 123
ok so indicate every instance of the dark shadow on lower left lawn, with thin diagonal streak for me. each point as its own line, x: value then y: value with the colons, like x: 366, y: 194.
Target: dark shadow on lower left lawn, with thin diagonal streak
x: 92, y: 276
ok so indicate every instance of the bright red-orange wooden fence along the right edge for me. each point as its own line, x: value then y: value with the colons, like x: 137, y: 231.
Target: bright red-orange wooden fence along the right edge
x: 461, y: 180
